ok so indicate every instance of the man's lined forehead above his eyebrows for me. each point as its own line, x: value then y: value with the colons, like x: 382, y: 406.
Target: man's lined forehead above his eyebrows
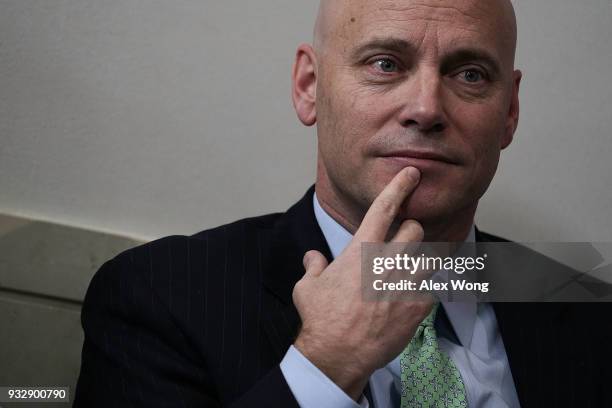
x: 428, y: 24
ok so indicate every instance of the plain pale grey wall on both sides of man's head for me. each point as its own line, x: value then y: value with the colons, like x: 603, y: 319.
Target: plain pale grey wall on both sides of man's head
x: 149, y: 117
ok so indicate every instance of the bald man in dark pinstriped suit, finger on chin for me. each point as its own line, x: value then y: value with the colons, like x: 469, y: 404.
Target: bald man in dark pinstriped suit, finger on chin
x: 413, y: 102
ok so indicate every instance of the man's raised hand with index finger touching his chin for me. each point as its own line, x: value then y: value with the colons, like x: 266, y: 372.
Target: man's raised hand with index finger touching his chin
x: 346, y: 337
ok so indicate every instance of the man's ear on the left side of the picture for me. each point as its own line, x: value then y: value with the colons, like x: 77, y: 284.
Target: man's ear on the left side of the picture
x: 304, y: 84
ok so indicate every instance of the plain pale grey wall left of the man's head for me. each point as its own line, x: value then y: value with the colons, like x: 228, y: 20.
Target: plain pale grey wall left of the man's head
x: 150, y: 117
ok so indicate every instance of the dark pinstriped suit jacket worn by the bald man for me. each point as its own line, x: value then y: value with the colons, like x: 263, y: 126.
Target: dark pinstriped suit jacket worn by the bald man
x: 204, y: 321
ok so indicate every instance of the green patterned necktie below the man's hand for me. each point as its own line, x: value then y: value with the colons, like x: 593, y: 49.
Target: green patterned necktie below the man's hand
x: 429, y: 377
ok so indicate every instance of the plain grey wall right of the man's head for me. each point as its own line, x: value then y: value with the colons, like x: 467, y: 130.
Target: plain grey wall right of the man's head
x: 555, y: 181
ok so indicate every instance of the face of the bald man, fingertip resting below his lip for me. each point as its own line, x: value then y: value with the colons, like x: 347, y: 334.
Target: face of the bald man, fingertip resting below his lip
x: 428, y: 84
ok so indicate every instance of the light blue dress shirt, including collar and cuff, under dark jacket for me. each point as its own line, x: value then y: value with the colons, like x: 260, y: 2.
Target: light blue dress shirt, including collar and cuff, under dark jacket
x: 477, y: 350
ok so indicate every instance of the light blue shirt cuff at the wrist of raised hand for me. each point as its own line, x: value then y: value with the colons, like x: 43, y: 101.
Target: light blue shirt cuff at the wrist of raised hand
x: 312, y: 388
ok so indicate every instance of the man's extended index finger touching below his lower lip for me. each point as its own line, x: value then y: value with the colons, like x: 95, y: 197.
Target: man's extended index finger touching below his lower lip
x: 386, y: 206
